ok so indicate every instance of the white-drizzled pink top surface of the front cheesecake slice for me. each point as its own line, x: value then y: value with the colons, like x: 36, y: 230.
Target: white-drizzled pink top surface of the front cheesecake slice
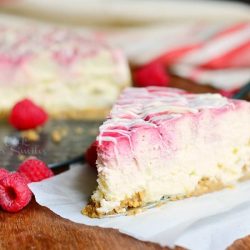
x: 152, y: 106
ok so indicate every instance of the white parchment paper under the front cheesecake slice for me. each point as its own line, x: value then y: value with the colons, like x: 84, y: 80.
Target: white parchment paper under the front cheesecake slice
x: 213, y: 221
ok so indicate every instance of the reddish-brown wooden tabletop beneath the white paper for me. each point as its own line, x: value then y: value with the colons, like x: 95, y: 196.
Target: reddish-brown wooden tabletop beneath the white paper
x: 36, y: 227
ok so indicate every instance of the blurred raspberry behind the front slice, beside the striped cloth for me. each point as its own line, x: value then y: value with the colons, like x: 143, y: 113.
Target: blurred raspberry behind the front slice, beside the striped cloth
x: 153, y: 74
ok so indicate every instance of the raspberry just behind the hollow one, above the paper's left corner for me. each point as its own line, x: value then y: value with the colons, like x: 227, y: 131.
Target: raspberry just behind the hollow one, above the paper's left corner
x: 35, y: 170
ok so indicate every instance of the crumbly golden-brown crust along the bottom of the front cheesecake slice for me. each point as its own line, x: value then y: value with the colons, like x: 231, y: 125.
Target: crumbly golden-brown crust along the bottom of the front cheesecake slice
x: 205, y: 185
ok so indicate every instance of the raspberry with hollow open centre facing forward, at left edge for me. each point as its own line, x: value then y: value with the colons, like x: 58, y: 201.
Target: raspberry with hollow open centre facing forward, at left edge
x: 14, y: 193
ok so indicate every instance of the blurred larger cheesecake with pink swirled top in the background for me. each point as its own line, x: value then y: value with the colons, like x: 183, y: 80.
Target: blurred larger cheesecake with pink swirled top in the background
x: 68, y: 72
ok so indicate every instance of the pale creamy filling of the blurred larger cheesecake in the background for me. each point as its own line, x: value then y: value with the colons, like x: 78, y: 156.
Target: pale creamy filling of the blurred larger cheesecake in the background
x: 88, y: 84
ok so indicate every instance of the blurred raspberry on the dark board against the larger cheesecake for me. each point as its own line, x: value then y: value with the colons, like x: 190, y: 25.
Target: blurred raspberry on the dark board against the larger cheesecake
x: 27, y: 115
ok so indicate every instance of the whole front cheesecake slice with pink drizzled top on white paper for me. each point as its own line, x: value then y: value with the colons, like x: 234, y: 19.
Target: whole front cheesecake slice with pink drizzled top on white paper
x: 163, y: 142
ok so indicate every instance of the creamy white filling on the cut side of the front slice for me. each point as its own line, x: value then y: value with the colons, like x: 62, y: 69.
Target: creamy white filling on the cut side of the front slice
x: 217, y: 148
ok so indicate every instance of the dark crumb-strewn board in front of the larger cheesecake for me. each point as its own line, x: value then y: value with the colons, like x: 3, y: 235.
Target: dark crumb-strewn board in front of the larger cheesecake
x: 14, y: 148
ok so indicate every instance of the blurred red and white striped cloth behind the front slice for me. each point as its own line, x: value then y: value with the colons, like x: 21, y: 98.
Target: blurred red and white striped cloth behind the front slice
x: 214, y: 54
